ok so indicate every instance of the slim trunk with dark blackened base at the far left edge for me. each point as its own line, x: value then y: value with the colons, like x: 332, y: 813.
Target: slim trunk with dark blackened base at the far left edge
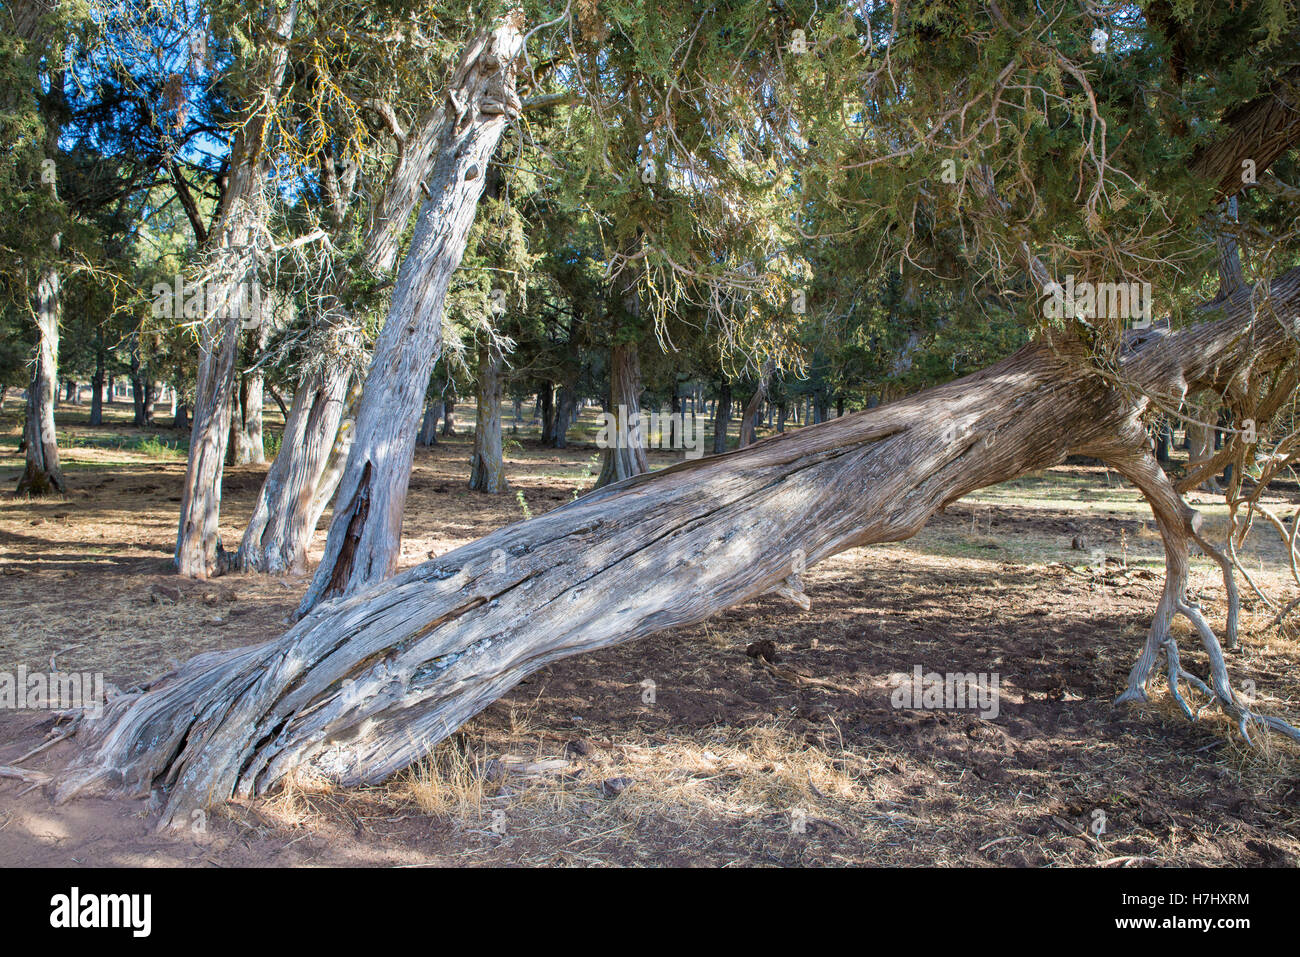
x: 41, y: 474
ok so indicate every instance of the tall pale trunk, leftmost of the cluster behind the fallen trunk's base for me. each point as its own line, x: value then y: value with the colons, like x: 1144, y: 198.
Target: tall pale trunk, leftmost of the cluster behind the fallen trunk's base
x: 231, y: 267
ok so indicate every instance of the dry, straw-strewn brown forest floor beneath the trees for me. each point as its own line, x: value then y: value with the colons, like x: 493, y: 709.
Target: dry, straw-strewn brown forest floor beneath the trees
x: 729, y: 761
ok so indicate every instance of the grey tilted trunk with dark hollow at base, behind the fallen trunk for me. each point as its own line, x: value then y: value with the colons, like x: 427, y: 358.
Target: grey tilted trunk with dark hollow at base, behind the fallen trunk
x: 366, y: 532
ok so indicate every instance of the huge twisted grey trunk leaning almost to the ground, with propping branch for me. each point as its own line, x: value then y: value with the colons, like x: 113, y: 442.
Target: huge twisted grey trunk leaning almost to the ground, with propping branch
x: 366, y: 686
